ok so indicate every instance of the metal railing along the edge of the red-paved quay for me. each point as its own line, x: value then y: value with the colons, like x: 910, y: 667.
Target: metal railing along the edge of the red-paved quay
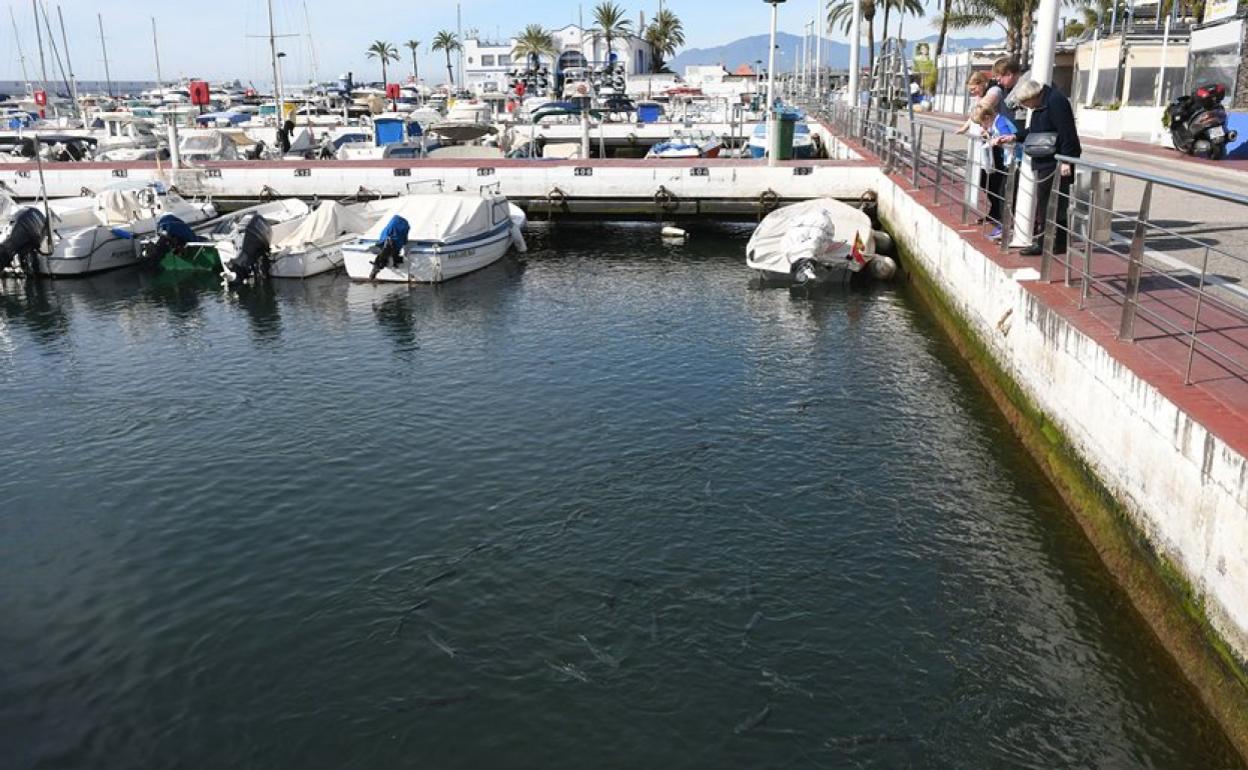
x: 1146, y: 279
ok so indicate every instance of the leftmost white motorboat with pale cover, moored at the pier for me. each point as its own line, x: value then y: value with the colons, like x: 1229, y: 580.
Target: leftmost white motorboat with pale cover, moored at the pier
x: 124, y: 214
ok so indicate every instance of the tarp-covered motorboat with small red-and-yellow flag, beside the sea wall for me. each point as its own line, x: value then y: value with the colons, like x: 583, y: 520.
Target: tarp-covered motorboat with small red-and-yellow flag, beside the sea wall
x: 817, y: 241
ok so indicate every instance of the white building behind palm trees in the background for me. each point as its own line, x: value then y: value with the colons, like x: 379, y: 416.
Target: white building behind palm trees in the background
x: 487, y: 63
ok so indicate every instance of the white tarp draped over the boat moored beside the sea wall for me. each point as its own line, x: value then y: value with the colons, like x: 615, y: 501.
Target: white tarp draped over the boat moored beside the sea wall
x: 823, y: 229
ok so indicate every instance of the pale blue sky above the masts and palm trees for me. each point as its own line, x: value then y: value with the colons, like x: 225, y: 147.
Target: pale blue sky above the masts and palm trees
x: 227, y: 39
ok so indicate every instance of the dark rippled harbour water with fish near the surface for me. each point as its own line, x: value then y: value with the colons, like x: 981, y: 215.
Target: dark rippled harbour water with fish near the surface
x: 613, y: 509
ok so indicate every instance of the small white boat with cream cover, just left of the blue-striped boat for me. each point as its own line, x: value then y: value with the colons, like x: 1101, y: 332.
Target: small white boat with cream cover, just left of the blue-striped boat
x: 313, y: 244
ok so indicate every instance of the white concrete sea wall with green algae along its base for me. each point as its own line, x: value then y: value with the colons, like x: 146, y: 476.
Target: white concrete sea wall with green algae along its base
x: 1164, y: 500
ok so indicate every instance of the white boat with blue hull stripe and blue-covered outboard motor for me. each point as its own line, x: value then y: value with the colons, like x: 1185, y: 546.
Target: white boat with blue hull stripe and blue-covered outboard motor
x: 429, y: 239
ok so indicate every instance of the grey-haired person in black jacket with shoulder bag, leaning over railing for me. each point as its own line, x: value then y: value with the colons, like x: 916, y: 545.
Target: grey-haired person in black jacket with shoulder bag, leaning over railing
x: 1051, y: 113
